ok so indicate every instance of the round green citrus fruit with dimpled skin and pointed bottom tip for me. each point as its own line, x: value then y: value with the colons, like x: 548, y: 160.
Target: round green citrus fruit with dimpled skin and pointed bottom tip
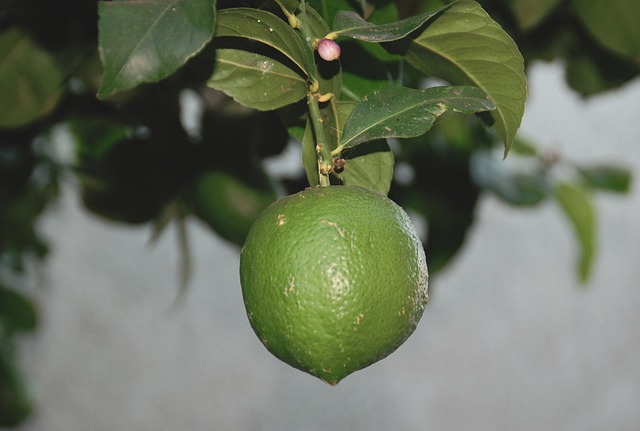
x: 333, y: 279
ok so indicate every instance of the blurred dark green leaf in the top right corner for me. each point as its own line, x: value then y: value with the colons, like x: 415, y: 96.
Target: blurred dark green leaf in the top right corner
x: 613, y: 23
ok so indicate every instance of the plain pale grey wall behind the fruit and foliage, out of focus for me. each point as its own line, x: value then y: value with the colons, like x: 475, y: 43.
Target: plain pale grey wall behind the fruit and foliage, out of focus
x: 509, y: 340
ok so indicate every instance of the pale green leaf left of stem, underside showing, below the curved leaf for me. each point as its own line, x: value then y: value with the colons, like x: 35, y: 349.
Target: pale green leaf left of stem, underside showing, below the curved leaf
x: 256, y: 80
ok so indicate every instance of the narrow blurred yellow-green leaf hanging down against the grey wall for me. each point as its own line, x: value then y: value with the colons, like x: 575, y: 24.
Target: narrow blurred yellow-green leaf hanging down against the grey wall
x: 577, y: 206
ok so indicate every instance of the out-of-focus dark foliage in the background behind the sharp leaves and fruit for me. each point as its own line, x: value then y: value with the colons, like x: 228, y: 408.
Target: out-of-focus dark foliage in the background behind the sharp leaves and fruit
x: 137, y: 159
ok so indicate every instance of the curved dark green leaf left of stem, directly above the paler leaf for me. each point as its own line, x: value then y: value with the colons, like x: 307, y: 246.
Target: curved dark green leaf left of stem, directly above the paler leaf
x: 264, y: 27
